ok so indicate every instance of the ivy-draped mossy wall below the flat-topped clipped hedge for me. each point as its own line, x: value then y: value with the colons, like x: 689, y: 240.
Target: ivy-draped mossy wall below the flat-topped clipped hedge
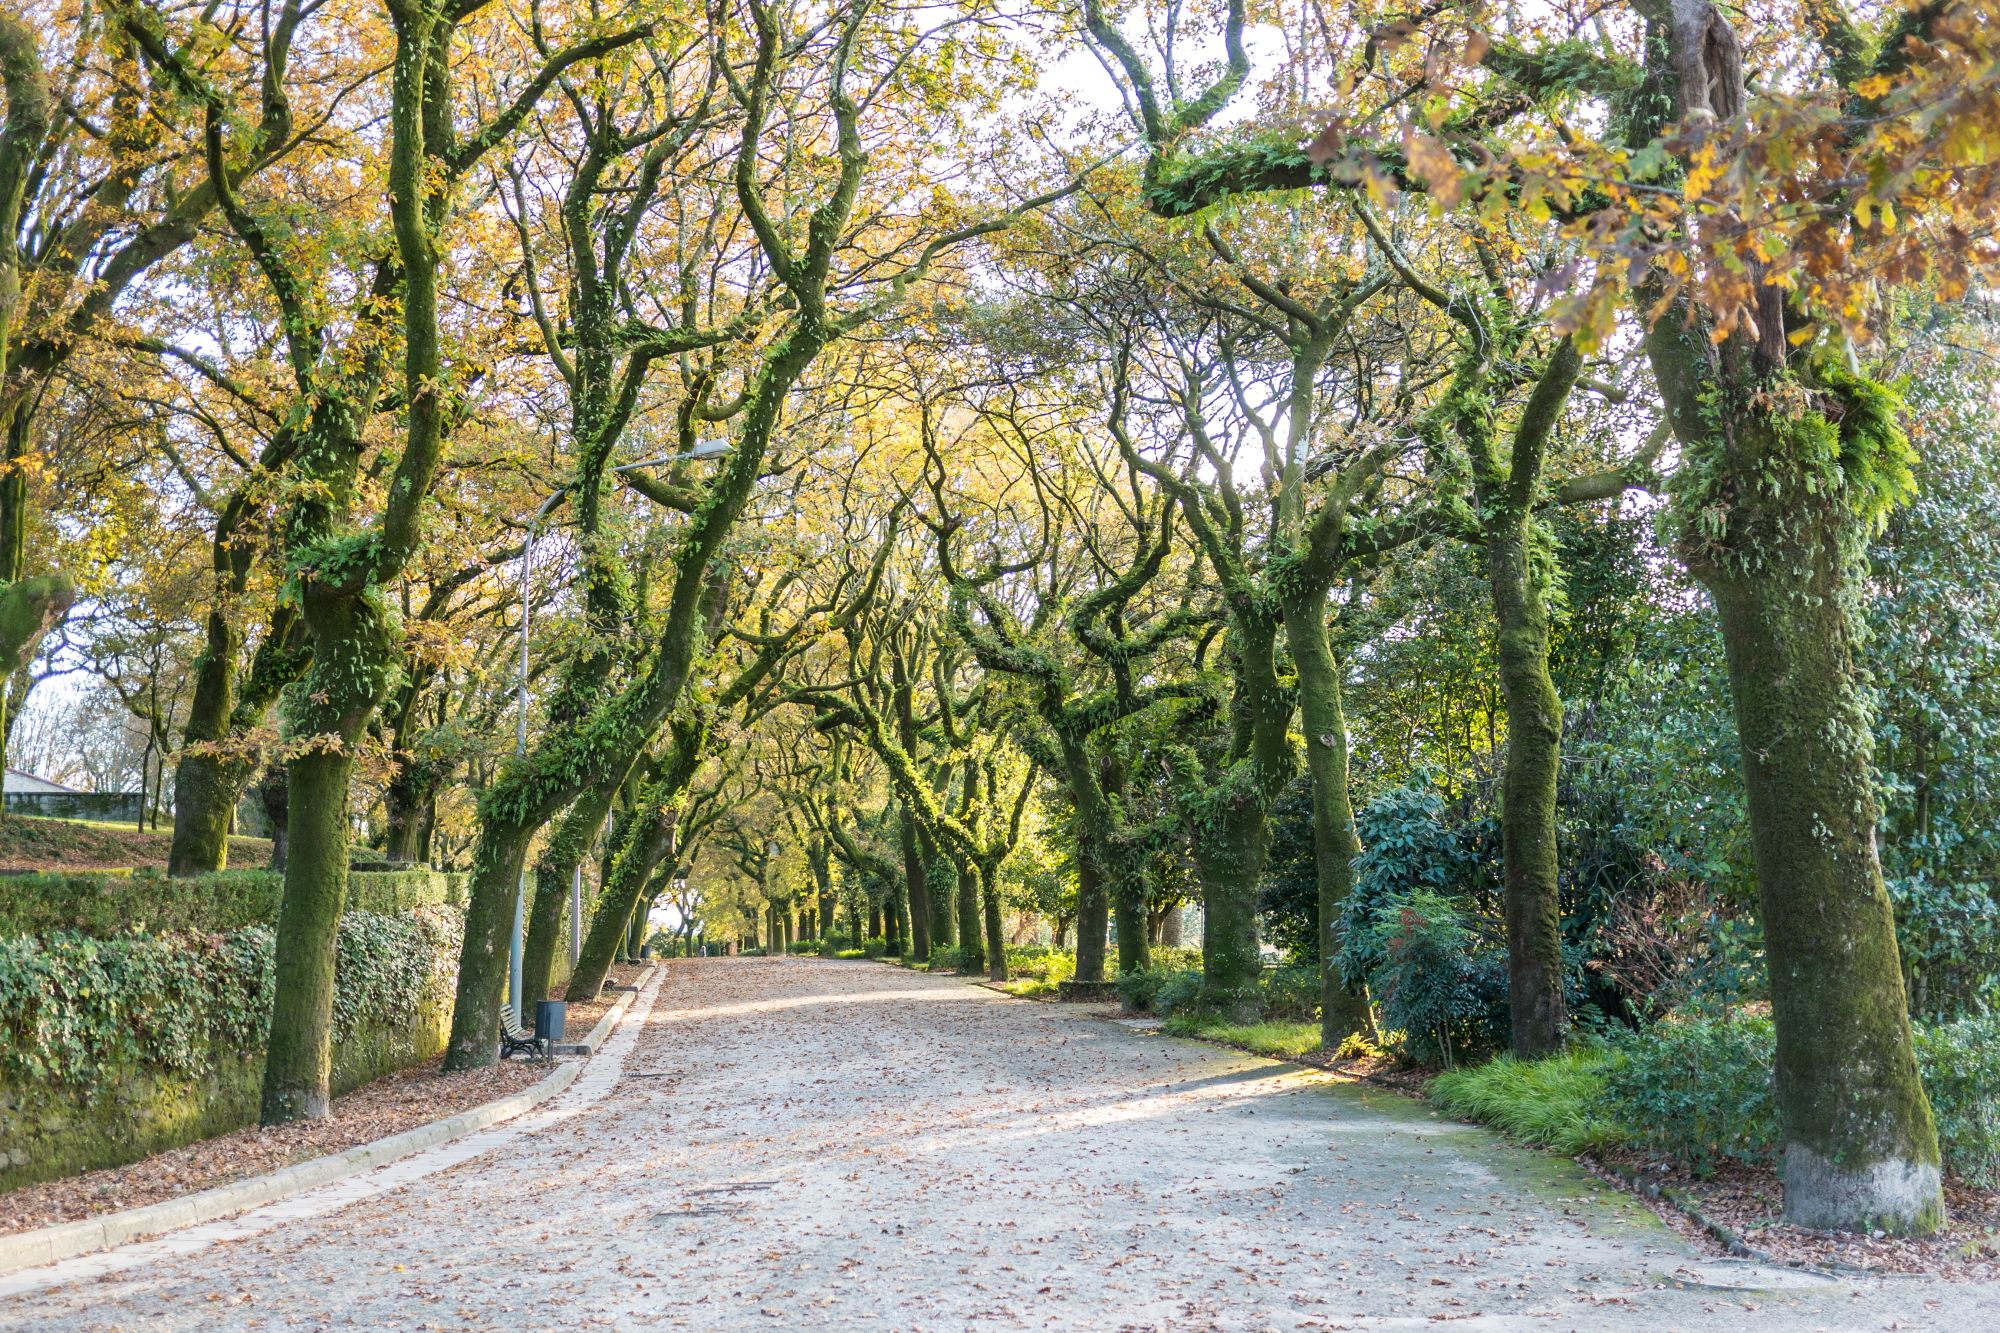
x: 119, y: 1048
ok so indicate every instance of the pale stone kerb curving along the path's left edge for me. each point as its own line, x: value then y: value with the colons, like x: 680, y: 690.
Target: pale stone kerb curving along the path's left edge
x: 29, y: 1250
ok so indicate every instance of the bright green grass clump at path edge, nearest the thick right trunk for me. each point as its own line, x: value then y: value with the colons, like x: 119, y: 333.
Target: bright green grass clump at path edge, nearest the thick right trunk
x: 1553, y: 1102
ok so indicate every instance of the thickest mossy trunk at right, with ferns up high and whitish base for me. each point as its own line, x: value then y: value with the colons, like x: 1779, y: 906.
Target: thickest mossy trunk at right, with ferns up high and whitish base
x: 1789, y: 463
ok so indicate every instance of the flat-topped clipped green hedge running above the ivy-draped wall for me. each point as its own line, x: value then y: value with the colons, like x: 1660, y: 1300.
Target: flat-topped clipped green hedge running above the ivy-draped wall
x: 107, y: 906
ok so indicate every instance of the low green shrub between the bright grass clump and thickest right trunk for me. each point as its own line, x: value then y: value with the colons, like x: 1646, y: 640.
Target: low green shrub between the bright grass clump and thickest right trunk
x: 1697, y: 1092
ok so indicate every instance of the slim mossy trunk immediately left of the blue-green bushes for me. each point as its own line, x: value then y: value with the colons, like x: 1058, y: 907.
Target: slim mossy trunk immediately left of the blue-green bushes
x: 1335, y: 844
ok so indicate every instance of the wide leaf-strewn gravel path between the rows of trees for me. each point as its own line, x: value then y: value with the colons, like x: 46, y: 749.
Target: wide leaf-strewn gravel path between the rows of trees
x: 843, y: 1146
